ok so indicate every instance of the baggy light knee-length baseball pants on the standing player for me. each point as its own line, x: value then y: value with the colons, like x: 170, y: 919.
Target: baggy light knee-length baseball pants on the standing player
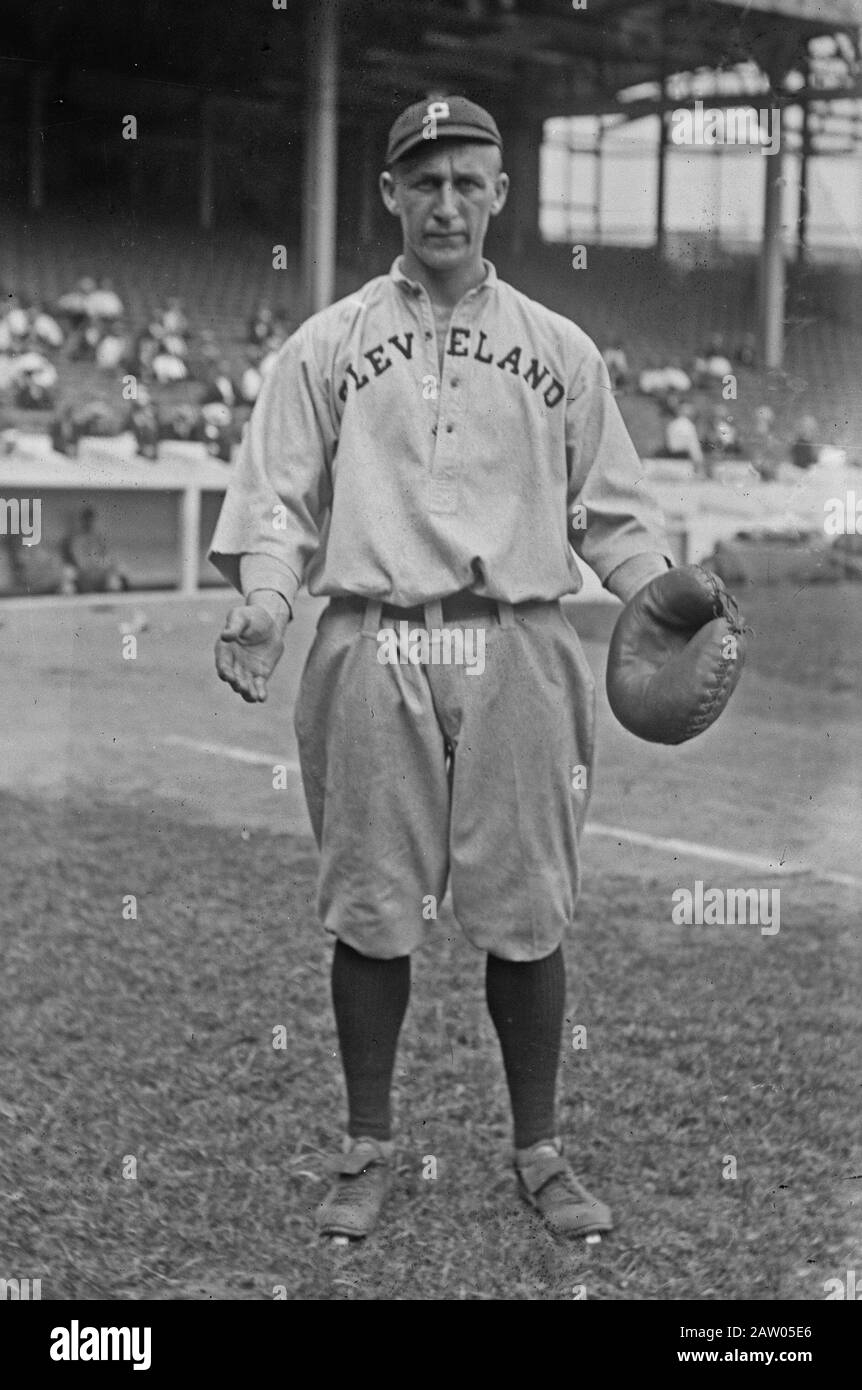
x: 422, y: 775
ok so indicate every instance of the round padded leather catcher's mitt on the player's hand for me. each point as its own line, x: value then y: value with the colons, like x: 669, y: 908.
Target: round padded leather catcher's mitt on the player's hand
x: 675, y: 657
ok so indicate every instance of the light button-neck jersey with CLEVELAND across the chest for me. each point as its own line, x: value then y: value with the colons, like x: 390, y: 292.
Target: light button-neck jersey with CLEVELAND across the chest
x: 369, y: 469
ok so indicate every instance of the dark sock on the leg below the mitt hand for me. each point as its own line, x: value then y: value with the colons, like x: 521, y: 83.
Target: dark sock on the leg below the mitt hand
x: 526, y: 1001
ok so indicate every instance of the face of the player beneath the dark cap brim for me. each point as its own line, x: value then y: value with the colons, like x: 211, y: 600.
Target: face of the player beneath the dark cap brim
x: 446, y: 199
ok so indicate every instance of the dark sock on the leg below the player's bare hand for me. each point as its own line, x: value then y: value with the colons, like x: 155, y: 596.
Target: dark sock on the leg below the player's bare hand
x: 371, y: 1000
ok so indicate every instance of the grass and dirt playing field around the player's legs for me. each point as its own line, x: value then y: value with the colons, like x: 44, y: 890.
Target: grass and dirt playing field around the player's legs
x: 152, y: 1039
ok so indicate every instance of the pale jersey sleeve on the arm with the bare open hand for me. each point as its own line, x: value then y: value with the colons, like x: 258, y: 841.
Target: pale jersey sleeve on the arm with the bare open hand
x: 282, y: 490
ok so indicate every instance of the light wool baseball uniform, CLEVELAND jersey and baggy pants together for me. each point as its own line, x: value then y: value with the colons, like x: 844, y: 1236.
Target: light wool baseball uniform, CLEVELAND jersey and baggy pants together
x: 462, y: 494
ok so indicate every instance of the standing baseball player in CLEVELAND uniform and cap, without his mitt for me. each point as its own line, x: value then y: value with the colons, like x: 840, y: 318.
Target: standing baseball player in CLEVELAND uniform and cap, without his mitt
x: 432, y: 454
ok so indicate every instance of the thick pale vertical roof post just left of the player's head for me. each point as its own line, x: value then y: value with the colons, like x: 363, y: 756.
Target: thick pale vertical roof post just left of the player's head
x: 320, y: 170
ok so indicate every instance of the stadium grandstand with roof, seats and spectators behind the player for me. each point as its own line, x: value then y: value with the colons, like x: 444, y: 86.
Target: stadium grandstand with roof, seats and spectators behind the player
x: 202, y: 162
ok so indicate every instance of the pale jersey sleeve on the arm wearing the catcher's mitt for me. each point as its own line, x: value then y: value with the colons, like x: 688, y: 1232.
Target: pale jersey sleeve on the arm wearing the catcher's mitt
x: 614, y: 516
